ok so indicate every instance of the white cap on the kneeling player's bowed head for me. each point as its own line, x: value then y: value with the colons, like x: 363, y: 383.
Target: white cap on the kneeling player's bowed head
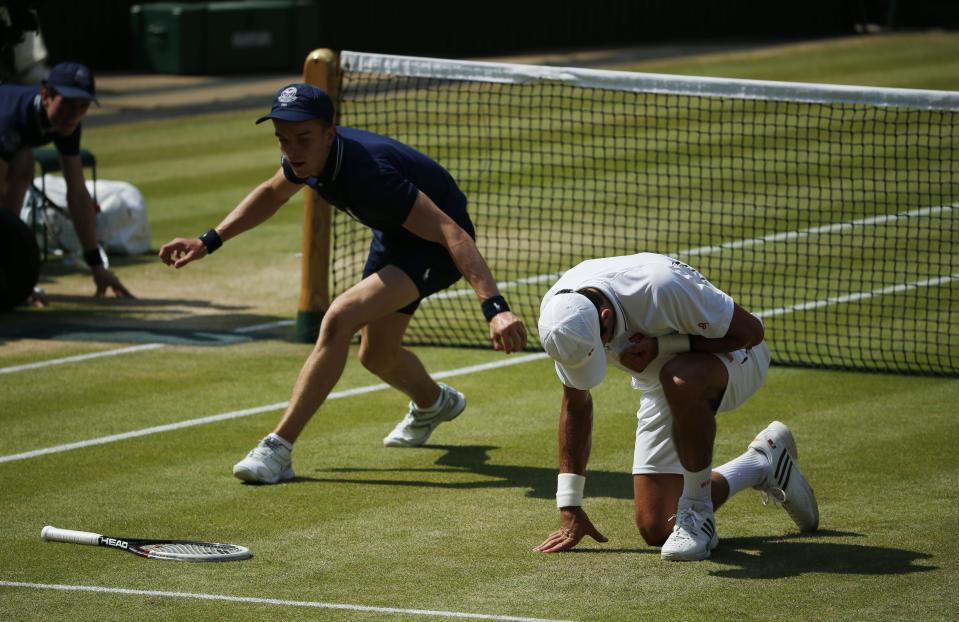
x: 570, y: 333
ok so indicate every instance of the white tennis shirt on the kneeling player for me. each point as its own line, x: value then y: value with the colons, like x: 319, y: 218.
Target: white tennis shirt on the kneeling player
x: 654, y: 295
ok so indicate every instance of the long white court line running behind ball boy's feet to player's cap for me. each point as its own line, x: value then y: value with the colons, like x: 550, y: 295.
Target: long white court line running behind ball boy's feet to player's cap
x: 236, y: 414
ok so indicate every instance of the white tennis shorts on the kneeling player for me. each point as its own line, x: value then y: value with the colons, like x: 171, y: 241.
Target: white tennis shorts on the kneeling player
x: 654, y: 451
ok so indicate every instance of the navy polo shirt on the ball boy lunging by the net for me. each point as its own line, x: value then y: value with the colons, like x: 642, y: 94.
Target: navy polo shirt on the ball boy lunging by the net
x: 376, y: 179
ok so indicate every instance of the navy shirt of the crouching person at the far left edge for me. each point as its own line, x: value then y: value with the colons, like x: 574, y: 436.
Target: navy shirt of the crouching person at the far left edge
x: 24, y: 123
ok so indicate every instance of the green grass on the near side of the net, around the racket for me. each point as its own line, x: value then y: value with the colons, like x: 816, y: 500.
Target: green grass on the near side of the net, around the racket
x: 363, y: 524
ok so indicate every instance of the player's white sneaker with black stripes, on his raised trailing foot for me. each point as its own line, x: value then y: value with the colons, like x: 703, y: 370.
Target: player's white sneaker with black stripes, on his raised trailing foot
x: 785, y: 483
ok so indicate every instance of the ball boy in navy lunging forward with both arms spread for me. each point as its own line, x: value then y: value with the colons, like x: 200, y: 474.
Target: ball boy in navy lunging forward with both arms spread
x: 423, y: 242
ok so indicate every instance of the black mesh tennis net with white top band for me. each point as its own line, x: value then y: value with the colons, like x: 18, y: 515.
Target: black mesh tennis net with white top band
x: 834, y: 221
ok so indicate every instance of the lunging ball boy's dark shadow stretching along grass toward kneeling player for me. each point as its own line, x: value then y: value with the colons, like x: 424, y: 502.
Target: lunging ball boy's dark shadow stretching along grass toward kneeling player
x: 540, y: 482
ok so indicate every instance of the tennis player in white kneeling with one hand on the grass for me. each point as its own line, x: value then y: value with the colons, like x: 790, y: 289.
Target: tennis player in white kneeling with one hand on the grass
x: 693, y: 352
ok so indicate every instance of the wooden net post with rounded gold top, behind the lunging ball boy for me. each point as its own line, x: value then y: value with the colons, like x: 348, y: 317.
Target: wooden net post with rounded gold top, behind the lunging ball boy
x: 319, y: 68
